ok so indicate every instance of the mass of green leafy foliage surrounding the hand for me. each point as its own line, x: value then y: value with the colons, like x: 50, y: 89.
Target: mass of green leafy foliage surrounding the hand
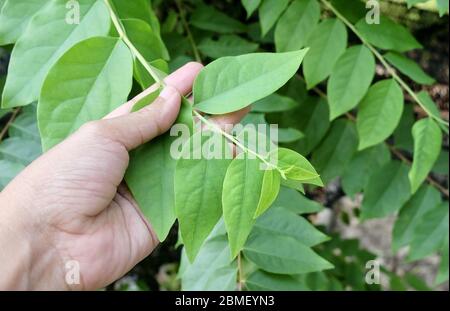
x: 243, y: 227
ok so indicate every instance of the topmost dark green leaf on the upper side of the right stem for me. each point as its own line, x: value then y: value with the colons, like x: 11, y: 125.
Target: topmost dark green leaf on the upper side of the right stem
x: 388, y: 35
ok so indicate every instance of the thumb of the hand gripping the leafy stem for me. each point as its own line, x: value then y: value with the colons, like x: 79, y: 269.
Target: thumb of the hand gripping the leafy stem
x: 137, y: 128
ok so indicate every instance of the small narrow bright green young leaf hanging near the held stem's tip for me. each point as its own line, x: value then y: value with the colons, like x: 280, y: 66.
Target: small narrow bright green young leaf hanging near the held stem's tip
x: 269, y: 191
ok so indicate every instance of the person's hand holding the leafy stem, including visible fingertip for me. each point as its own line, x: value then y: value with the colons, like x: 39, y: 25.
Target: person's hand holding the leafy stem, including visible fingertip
x: 71, y: 205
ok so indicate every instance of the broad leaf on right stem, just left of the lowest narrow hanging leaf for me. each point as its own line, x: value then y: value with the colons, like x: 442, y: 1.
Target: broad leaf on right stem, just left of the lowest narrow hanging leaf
x: 379, y: 113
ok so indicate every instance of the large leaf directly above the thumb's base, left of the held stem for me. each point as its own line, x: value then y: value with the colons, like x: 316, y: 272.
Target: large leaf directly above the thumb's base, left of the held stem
x: 93, y: 78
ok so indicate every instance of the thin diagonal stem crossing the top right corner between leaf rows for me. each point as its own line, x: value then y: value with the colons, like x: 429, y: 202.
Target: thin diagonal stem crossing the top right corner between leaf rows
x: 383, y: 61
